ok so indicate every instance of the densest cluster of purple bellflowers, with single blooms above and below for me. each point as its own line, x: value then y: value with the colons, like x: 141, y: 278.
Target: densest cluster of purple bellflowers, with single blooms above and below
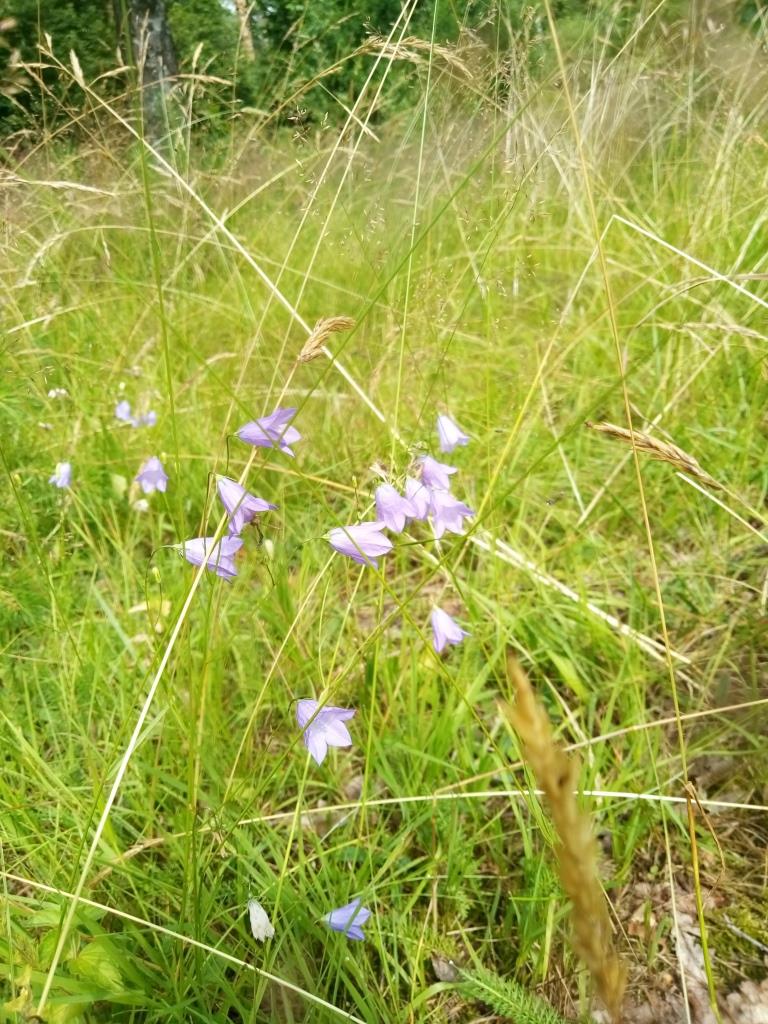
x: 428, y: 497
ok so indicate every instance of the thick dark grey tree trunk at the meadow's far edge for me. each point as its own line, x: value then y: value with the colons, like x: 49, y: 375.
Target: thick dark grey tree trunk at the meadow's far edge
x: 155, y: 57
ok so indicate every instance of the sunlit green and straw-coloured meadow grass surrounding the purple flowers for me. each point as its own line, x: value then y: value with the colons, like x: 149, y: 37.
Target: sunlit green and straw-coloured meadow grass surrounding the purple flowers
x: 461, y: 240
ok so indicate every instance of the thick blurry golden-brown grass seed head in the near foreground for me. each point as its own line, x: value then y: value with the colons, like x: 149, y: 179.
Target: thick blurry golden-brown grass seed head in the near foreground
x: 558, y: 776
